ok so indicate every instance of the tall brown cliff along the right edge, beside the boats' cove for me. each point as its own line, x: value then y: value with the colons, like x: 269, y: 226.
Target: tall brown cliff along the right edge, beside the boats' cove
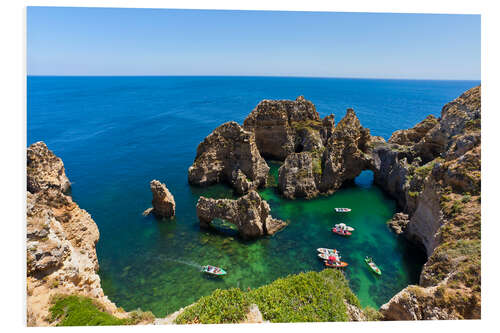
x: 434, y: 171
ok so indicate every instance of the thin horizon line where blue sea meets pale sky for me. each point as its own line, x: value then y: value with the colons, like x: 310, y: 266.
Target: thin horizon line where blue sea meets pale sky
x: 270, y: 76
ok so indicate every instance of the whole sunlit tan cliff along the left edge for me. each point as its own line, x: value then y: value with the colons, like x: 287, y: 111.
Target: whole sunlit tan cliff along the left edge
x: 61, y: 239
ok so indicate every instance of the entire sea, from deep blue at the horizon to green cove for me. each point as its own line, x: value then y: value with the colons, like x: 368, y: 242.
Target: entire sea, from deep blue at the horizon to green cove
x: 115, y: 134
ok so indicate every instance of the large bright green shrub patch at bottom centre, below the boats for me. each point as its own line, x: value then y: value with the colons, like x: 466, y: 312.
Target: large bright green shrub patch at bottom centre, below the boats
x: 305, y: 297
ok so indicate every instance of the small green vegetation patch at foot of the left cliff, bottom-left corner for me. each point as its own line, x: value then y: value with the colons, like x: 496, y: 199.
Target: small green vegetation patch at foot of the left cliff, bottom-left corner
x: 76, y: 310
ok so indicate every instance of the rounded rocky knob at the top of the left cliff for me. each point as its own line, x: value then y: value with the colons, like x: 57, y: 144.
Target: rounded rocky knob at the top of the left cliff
x: 45, y: 170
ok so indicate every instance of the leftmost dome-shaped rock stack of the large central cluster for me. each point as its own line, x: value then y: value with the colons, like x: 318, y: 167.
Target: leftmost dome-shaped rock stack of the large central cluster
x: 229, y: 154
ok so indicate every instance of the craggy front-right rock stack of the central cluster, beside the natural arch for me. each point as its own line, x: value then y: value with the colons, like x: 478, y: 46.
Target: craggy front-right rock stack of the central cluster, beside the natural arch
x: 333, y: 156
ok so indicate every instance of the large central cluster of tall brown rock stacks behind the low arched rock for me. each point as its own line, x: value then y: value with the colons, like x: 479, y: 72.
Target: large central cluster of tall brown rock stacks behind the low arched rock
x: 319, y: 156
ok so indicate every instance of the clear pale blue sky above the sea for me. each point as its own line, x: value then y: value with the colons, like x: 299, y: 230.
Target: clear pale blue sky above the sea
x: 114, y: 41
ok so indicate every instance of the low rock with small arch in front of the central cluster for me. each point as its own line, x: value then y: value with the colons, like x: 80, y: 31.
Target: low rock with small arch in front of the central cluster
x: 250, y: 214
